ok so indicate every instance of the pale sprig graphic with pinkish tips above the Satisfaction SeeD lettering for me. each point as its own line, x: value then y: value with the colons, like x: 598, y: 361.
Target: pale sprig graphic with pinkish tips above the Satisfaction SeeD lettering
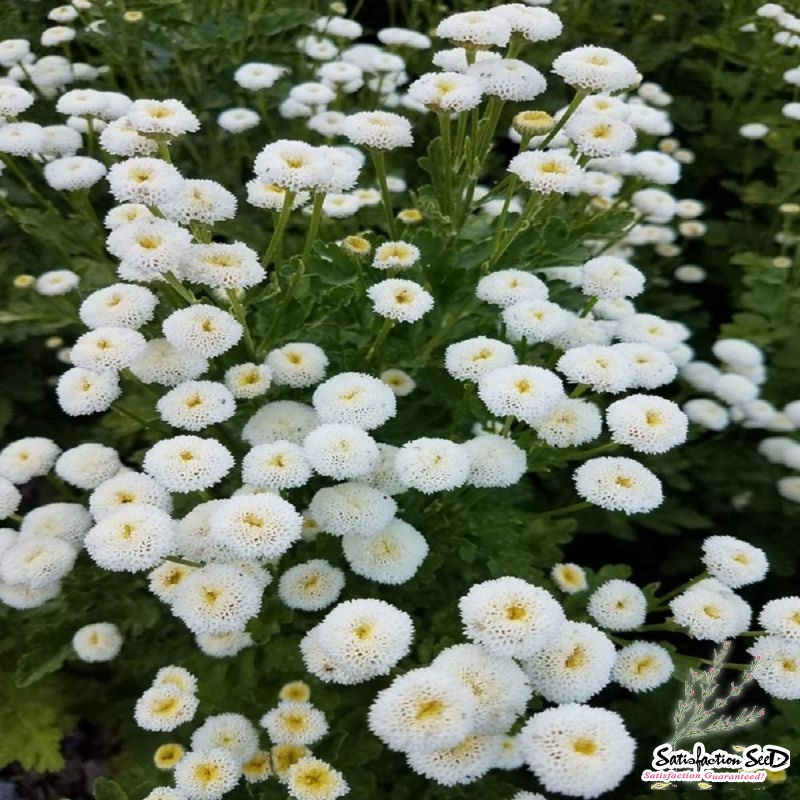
x: 699, y: 713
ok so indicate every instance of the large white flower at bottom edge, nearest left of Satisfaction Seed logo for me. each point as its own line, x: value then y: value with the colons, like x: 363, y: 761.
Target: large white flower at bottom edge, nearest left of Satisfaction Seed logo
x: 578, y: 750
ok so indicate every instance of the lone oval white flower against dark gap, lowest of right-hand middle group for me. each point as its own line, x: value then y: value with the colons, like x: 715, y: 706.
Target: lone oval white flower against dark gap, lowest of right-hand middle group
x: 618, y: 484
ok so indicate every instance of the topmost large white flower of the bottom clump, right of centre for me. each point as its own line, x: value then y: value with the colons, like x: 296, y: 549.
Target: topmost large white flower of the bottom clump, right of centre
x: 509, y: 616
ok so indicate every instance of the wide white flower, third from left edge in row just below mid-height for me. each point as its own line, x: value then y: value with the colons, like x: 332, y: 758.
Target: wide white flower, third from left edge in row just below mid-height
x: 187, y: 463
